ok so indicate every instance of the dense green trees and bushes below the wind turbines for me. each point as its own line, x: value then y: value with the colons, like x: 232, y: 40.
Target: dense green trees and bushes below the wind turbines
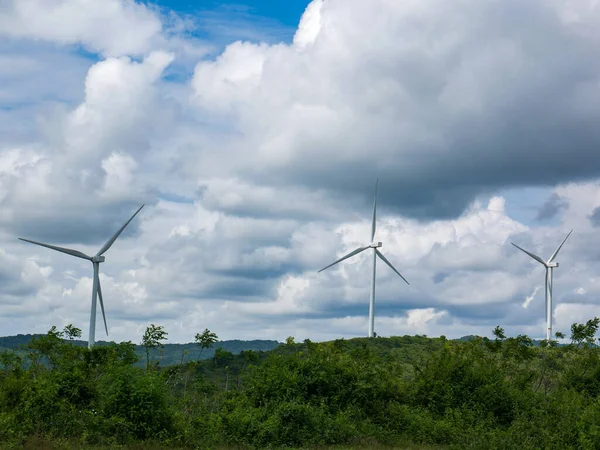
x: 403, y: 392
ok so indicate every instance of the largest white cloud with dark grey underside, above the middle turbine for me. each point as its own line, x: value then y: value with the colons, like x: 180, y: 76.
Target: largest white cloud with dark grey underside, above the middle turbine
x: 442, y: 111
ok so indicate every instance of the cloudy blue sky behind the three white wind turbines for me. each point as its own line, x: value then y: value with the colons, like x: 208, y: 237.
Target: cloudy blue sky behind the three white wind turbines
x: 255, y: 132
